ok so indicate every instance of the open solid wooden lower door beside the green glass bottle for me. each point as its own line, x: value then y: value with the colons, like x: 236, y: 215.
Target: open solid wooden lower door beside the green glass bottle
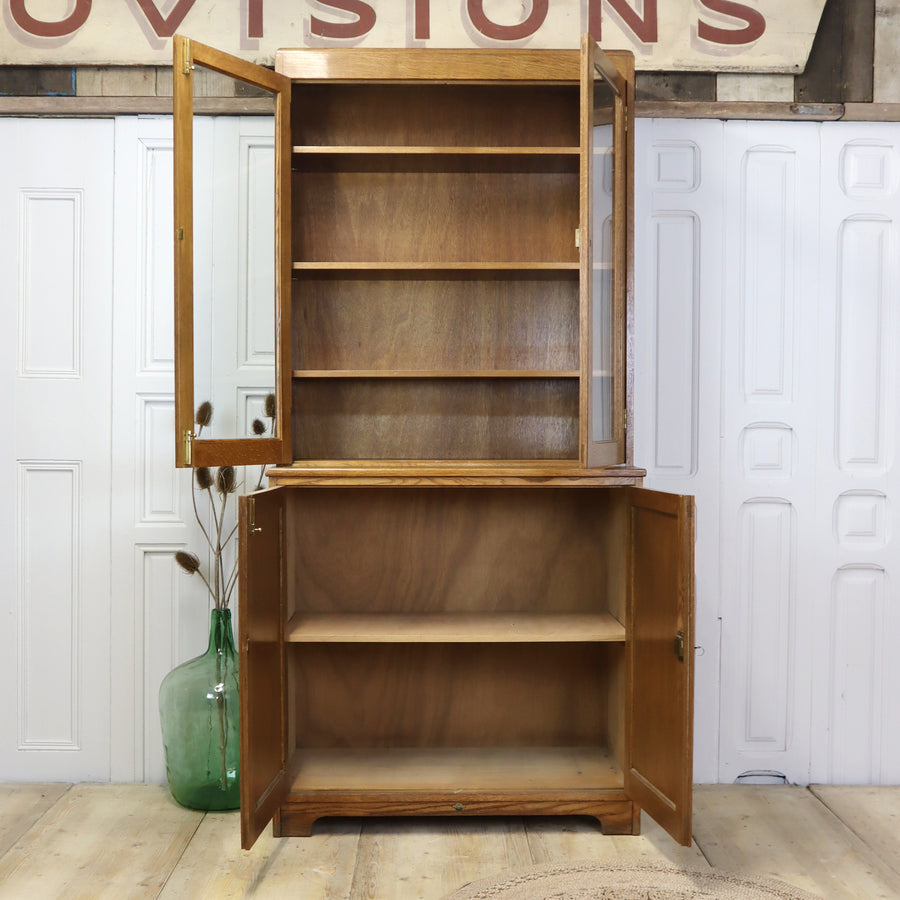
x: 263, y: 693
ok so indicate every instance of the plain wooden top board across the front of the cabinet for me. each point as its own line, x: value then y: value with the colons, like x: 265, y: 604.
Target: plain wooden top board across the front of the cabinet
x: 463, y: 65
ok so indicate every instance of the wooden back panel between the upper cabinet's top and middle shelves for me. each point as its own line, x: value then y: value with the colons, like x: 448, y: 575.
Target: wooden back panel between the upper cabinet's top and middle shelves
x: 436, y: 217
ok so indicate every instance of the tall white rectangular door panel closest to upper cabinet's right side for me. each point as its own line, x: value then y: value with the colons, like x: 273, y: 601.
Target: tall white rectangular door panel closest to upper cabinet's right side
x: 676, y: 255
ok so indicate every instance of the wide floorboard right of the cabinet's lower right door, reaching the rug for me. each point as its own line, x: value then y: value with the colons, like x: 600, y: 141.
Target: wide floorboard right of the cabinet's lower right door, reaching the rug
x: 786, y: 832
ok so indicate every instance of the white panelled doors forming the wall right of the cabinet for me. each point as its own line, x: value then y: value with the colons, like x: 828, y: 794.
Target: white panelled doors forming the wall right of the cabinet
x: 767, y: 385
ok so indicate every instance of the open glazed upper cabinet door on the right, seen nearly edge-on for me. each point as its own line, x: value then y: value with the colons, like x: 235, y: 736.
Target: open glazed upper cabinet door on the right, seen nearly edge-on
x: 605, y: 233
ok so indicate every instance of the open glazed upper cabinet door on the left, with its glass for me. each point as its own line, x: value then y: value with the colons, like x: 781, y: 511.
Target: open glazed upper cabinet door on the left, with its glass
x: 232, y: 265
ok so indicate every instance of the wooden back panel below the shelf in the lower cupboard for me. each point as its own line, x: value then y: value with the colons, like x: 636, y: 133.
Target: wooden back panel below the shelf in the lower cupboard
x: 449, y: 695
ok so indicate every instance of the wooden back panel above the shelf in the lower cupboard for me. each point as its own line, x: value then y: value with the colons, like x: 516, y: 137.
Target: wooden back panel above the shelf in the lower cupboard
x: 456, y: 550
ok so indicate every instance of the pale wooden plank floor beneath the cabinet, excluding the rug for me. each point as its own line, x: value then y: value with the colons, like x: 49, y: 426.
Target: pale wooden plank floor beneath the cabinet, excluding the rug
x: 133, y: 841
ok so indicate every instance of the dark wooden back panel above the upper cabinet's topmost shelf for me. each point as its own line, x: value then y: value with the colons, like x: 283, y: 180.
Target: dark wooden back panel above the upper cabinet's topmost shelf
x: 435, y: 115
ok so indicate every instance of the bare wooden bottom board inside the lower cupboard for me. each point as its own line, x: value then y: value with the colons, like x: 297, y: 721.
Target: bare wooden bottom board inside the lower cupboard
x: 466, y: 768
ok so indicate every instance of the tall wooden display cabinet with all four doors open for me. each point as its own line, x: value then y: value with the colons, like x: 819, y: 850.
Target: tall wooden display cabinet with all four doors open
x: 456, y: 598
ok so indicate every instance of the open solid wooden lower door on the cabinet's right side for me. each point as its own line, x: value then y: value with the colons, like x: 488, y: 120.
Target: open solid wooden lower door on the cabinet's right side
x: 658, y: 772
